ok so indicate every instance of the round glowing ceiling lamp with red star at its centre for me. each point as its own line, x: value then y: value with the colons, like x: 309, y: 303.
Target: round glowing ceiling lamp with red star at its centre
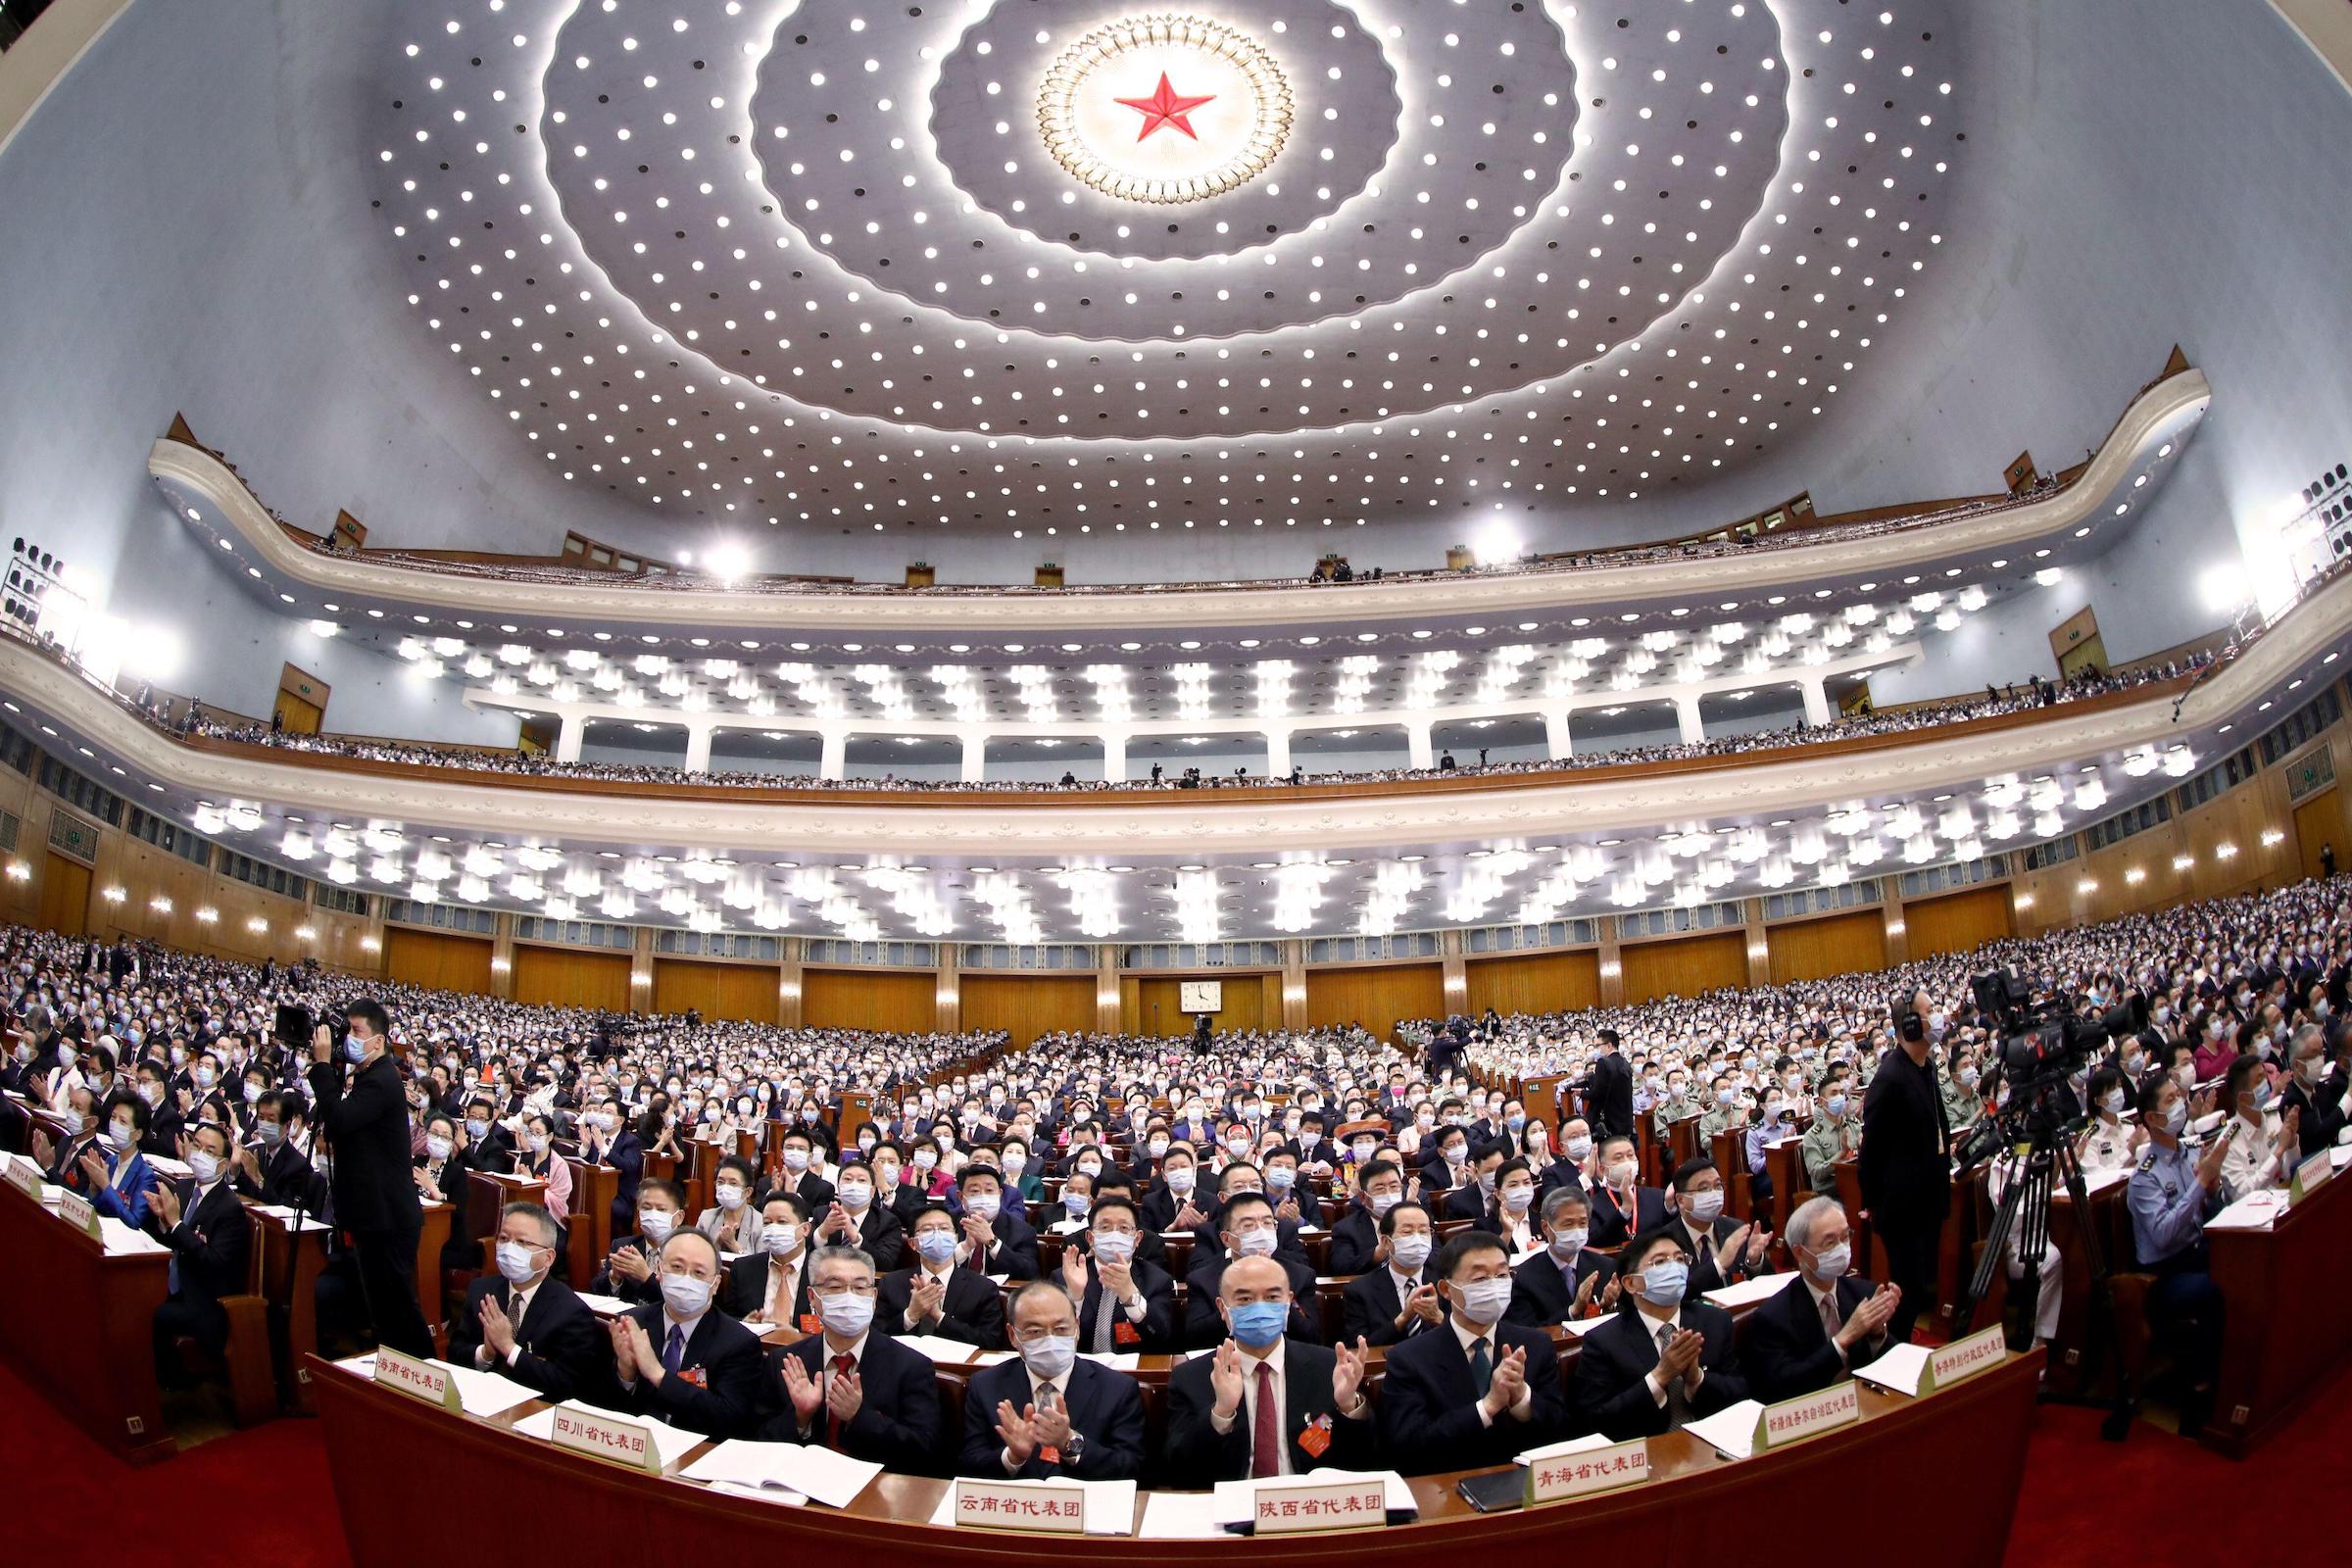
x: 1191, y: 145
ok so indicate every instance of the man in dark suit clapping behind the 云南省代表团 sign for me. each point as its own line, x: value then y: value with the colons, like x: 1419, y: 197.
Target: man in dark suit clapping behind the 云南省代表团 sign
x: 1050, y: 1414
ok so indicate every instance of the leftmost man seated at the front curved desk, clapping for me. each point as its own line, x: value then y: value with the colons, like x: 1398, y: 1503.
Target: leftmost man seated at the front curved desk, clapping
x: 523, y: 1322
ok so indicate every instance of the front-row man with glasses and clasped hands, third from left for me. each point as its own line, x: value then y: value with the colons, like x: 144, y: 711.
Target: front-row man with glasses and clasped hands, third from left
x: 848, y: 1388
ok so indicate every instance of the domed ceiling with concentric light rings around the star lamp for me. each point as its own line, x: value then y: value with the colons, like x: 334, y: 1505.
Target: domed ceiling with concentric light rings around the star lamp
x: 813, y: 267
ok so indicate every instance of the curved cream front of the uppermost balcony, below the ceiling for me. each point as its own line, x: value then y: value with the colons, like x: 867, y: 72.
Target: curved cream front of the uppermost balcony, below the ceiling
x: 1737, y: 568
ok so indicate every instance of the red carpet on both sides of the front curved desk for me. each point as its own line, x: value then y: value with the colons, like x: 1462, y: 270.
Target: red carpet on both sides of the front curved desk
x: 262, y: 1499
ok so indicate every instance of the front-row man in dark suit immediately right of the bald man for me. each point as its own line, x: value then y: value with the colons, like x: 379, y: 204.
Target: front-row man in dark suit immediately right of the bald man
x: 1478, y: 1391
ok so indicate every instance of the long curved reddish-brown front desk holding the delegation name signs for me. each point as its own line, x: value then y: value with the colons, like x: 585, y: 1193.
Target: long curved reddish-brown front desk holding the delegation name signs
x: 389, y: 1454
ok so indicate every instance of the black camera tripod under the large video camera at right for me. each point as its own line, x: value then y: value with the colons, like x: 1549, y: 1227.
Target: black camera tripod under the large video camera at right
x: 2031, y: 1170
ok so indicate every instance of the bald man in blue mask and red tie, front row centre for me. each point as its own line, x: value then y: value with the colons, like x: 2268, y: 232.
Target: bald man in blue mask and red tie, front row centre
x: 1264, y: 1405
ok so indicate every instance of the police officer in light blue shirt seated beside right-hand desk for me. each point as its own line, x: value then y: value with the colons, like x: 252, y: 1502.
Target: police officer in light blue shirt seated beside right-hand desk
x: 2174, y: 1191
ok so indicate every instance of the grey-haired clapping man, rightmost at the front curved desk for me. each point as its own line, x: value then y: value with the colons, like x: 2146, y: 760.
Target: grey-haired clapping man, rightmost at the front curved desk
x: 1829, y: 1322
